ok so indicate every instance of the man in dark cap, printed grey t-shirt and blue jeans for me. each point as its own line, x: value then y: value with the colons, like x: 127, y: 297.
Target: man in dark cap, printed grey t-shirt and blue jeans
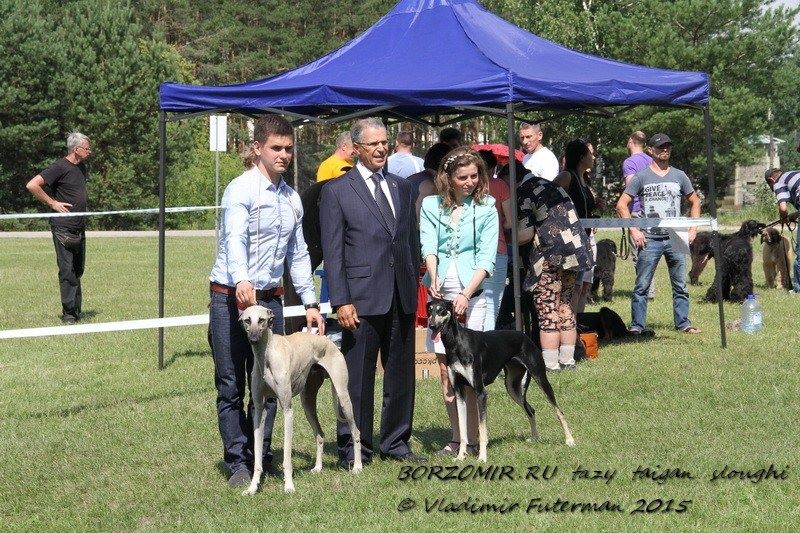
x: 659, y: 187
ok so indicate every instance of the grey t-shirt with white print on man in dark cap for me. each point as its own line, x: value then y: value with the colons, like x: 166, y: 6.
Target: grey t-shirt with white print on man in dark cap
x: 660, y: 195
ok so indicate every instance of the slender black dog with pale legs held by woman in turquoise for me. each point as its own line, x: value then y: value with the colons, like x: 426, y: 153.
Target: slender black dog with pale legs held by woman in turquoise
x: 475, y: 358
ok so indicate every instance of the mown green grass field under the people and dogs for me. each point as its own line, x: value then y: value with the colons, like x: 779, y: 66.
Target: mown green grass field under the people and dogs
x: 94, y: 437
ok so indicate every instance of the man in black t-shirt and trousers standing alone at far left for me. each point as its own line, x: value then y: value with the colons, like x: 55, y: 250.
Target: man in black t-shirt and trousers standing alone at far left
x: 66, y: 179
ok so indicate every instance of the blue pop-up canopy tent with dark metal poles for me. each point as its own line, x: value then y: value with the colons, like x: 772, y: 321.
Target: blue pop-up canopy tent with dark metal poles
x: 427, y: 58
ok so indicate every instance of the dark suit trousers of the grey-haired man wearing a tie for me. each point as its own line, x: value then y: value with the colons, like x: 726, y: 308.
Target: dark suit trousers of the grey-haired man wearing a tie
x: 393, y: 335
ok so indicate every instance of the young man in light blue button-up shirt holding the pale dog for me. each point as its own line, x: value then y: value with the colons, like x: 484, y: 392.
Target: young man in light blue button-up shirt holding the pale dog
x: 261, y: 228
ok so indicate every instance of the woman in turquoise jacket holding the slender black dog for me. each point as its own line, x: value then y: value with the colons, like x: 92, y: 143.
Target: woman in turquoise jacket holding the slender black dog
x: 458, y: 236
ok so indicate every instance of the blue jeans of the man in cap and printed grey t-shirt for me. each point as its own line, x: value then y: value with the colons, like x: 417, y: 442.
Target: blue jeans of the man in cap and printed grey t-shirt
x: 646, y: 263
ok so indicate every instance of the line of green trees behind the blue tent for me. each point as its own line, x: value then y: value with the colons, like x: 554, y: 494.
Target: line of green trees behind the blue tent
x: 95, y: 66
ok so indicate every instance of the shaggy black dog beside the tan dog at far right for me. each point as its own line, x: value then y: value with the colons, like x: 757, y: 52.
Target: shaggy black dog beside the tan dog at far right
x: 735, y: 267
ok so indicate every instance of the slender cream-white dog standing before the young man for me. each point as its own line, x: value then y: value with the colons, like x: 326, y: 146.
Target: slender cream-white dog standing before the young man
x: 281, y: 370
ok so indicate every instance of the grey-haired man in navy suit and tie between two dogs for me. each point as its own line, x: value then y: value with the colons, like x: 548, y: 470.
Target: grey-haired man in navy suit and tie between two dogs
x: 371, y: 251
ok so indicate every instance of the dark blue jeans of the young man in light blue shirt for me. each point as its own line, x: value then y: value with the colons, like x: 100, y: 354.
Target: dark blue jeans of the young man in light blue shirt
x: 233, y: 362
